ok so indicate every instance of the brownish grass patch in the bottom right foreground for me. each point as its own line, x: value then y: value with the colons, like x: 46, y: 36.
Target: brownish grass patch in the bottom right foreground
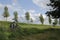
x: 50, y: 35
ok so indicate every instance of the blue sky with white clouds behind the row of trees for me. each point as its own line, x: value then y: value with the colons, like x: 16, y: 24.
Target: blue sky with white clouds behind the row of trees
x: 34, y: 7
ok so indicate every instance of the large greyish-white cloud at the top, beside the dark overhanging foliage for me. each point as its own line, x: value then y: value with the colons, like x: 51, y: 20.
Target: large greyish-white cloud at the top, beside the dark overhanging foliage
x: 42, y: 3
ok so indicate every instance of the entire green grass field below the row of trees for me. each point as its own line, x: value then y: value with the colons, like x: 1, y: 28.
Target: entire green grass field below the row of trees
x: 29, y: 32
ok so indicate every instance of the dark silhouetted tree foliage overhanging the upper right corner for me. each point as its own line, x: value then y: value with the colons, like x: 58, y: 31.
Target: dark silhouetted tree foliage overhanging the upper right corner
x: 55, y: 12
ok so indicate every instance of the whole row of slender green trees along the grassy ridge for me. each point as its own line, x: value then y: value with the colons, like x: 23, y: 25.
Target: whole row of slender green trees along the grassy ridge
x: 27, y: 16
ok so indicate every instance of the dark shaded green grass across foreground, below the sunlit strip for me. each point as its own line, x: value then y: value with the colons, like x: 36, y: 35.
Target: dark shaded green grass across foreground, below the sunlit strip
x: 19, y: 33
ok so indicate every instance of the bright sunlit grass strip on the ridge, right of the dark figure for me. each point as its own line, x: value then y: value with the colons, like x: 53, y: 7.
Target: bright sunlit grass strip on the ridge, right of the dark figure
x: 39, y: 26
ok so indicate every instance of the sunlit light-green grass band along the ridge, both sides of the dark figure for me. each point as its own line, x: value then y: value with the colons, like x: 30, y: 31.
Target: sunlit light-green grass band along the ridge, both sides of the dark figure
x: 24, y: 25
